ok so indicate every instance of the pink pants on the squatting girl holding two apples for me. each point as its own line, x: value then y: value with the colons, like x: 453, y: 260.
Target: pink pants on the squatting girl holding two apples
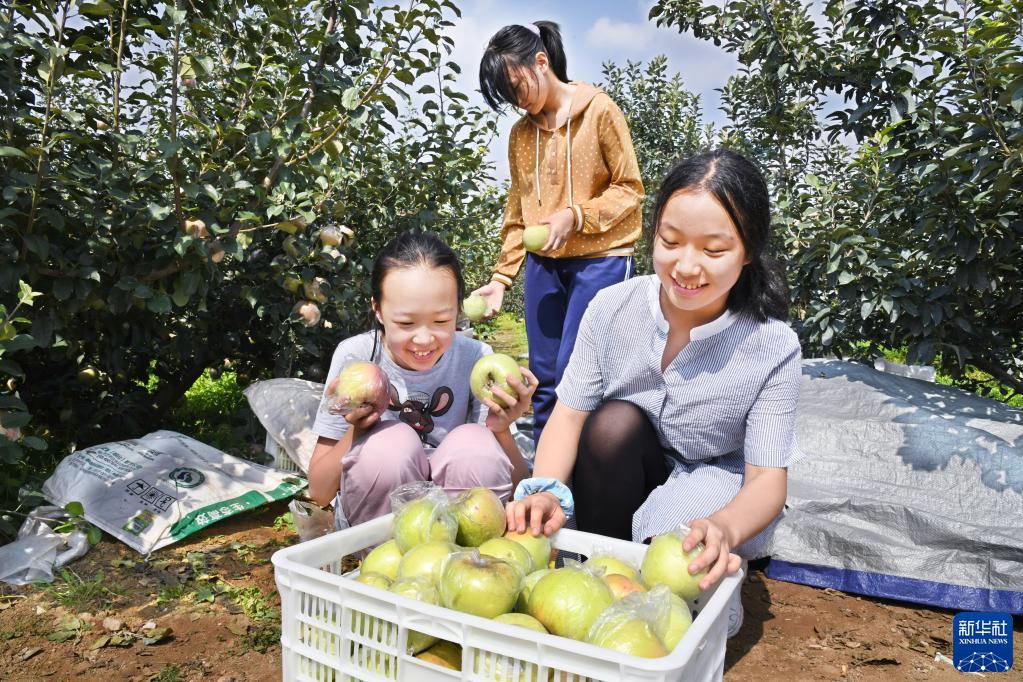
x: 391, y: 454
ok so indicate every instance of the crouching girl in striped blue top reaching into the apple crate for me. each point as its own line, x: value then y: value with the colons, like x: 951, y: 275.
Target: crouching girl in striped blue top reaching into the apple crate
x: 679, y: 403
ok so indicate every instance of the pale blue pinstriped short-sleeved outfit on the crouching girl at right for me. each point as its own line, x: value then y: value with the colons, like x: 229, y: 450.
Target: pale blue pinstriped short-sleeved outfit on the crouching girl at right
x: 728, y: 399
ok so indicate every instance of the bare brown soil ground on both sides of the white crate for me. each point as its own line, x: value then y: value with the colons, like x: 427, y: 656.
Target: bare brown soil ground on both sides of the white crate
x: 207, y: 610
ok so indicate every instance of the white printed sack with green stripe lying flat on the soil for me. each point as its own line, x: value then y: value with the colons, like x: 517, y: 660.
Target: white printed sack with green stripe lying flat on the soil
x: 154, y: 491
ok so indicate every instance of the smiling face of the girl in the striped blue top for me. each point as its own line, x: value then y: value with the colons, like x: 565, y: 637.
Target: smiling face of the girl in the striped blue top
x: 698, y: 257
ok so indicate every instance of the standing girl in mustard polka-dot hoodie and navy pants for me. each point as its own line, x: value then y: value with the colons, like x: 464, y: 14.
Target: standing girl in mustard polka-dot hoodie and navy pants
x: 573, y: 168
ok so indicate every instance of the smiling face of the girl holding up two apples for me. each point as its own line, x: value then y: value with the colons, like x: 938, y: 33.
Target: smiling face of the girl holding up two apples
x: 418, y: 311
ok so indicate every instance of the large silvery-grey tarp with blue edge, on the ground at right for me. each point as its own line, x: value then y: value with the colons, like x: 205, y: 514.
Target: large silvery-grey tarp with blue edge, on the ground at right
x: 911, y: 490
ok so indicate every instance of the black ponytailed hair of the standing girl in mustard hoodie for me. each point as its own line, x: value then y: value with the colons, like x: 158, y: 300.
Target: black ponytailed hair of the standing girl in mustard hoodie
x: 516, y: 47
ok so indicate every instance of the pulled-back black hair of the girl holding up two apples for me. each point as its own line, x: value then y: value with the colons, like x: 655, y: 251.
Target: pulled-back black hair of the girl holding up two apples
x: 410, y: 250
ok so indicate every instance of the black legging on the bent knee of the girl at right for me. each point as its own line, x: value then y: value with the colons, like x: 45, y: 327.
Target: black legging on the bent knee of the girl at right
x: 620, y: 463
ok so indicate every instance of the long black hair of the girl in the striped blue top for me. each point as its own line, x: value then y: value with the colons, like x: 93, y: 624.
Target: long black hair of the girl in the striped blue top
x: 740, y: 188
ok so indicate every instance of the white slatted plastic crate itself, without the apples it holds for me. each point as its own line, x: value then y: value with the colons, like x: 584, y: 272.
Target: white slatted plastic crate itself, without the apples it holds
x: 335, y: 629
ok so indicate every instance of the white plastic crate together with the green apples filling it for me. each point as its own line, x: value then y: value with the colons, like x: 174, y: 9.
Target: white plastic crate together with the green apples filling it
x: 443, y: 593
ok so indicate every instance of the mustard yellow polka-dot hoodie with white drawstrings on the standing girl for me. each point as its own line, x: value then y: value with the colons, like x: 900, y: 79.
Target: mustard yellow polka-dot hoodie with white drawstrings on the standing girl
x: 587, y: 163
